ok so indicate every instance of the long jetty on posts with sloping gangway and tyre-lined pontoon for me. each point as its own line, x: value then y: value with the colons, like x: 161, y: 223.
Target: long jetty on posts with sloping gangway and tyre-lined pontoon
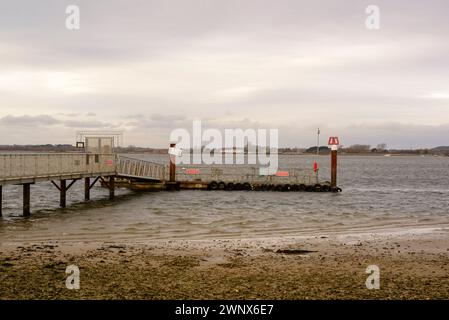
x: 112, y: 170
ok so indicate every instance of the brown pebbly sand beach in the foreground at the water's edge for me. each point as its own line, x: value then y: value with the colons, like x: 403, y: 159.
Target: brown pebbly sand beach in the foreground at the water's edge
x: 413, y: 265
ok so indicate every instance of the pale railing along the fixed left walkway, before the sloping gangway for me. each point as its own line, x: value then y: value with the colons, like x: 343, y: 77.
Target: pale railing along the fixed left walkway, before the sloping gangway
x: 20, y: 168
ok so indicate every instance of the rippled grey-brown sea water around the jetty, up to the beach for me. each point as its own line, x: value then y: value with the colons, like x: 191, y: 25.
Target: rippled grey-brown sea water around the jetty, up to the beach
x: 378, y: 193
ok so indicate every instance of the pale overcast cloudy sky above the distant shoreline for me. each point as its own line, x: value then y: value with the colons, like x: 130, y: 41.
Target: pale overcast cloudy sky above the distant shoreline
x: 147, y: 67
